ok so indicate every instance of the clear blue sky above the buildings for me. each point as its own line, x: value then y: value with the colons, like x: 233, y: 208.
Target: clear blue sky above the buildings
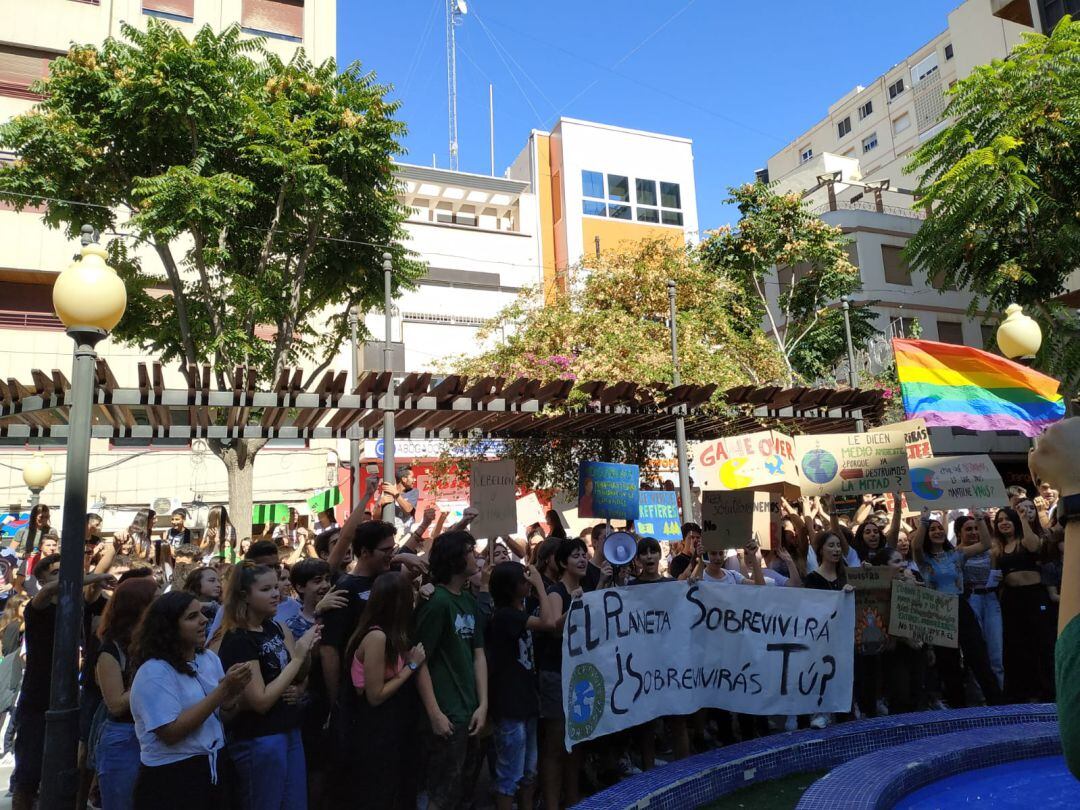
x: 742, y: 79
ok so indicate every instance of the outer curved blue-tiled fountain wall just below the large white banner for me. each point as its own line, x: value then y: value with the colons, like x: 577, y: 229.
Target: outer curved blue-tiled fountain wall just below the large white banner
x: 708, y: 777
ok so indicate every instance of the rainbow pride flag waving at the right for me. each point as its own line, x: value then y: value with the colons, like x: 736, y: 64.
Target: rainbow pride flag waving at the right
x: 955, y: 386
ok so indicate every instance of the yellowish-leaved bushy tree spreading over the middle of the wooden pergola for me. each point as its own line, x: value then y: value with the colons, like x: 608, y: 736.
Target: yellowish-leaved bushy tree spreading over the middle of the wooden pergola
x: 613, y: 327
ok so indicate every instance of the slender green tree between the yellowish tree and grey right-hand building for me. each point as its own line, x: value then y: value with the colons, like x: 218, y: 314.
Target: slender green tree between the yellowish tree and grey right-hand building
x: 778, y: 232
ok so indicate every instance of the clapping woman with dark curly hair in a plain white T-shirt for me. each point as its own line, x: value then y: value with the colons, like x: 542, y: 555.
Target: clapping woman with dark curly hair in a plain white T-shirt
x: 177, y: 699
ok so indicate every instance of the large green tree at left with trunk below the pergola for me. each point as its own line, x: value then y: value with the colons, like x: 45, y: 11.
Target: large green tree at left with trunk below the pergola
x: 255, y: 197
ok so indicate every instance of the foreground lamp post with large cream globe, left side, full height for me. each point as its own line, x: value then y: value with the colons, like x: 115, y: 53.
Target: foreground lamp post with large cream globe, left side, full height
x: 90, y: 299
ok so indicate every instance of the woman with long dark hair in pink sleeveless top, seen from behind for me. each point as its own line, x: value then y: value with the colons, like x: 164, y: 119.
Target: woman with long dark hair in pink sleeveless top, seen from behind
x: 376, y: 720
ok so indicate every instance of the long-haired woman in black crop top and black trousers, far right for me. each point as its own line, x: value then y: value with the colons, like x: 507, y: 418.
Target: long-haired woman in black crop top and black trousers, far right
x: 1024, y: 610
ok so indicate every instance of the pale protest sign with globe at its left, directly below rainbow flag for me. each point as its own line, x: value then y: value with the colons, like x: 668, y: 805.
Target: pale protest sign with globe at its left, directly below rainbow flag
x: 956, y: 482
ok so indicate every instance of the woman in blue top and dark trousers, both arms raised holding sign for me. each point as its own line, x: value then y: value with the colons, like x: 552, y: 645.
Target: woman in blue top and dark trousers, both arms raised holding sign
x: 942, y: 565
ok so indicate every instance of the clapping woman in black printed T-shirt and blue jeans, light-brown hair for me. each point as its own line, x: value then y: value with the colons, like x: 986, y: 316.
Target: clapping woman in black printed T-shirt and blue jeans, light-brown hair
x: 265, y: 742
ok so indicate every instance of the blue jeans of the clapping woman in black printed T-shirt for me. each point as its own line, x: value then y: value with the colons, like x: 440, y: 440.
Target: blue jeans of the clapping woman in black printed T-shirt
x: 271, y: 773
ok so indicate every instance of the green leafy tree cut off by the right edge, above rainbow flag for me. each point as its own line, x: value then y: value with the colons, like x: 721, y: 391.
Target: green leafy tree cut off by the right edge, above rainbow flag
x: 1002, y: 190
